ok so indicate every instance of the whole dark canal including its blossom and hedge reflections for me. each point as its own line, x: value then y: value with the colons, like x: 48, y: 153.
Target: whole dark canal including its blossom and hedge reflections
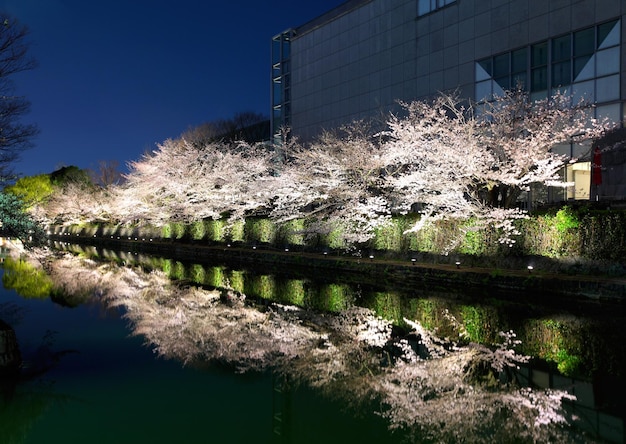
x: 127, y: 347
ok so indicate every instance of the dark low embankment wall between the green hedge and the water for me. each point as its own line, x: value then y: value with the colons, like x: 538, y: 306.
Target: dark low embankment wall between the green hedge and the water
x: 407, y: 272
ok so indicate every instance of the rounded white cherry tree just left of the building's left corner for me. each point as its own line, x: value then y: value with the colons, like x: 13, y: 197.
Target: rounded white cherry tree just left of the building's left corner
x: 180, y: 182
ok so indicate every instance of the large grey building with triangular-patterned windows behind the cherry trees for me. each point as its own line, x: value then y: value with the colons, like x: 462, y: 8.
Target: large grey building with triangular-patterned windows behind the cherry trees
x: 357, y: 60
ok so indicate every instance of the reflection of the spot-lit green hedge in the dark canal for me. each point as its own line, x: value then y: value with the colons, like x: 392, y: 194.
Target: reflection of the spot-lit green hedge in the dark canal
x: 575, y: 345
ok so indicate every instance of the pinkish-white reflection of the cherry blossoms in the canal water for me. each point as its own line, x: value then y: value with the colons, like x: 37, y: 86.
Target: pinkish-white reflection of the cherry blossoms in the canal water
x: 438, y: 389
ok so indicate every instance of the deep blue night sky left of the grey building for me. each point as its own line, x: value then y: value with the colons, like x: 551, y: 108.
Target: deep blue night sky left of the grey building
x: 116, y: 77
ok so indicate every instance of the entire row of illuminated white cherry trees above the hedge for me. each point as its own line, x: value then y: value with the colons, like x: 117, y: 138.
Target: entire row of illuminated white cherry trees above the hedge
x: 442, y: 158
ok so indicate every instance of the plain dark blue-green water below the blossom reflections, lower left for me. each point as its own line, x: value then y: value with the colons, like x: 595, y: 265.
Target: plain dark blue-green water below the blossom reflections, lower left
x: 111, y: 388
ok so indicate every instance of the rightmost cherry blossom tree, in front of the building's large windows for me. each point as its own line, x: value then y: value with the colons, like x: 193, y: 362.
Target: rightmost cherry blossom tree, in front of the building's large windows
x: 520, y: 134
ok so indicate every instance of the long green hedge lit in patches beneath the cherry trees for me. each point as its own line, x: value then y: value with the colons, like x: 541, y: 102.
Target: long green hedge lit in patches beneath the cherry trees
x: 573, y: 233
